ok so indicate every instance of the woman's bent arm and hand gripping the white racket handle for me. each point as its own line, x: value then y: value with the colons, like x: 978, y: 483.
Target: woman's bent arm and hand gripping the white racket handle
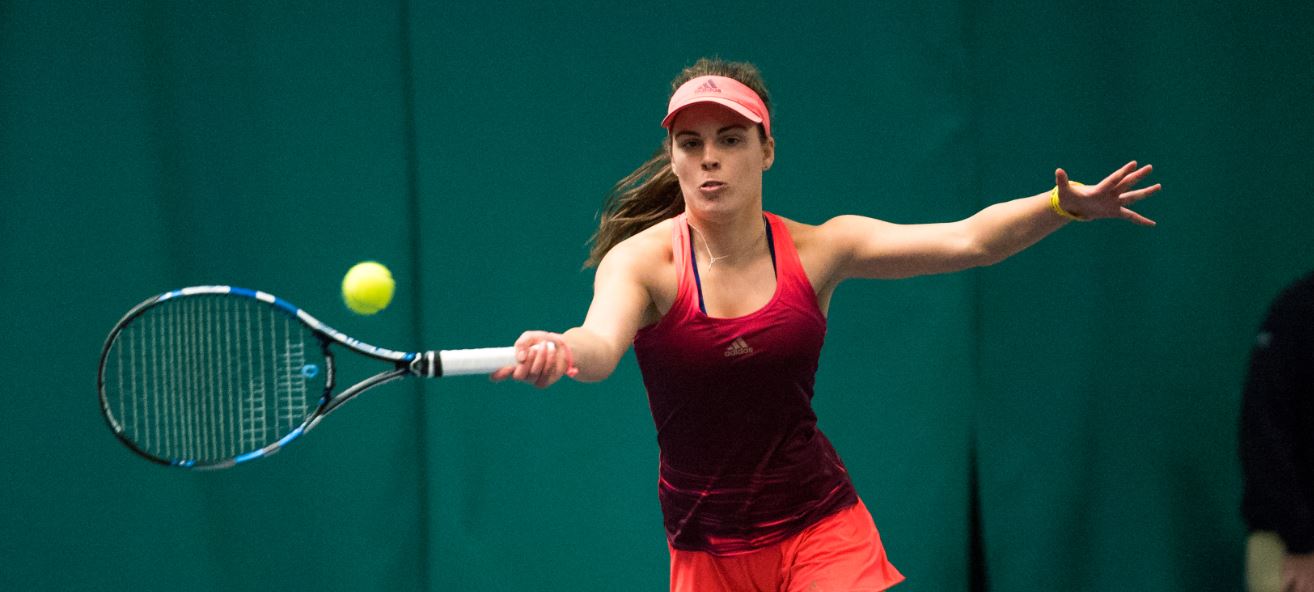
x: 592, y: 351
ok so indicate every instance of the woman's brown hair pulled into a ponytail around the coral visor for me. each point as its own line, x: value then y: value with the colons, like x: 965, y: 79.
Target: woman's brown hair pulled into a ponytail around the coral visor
x: 651, y: 194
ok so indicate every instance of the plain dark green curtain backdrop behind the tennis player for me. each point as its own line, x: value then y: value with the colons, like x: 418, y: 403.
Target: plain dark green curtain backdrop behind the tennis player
x: 148, y: 146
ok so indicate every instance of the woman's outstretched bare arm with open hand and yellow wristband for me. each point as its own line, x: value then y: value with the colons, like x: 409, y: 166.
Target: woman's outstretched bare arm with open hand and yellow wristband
x: 880, y: 250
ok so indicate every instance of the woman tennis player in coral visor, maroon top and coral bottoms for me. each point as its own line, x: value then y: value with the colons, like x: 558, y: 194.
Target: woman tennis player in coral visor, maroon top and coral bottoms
x: 726, y: 307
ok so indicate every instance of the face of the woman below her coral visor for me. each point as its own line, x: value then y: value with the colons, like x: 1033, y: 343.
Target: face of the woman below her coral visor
x: 719, y: 157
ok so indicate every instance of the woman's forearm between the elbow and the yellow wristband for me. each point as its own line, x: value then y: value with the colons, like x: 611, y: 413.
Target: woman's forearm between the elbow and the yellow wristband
x: 1007, y: 229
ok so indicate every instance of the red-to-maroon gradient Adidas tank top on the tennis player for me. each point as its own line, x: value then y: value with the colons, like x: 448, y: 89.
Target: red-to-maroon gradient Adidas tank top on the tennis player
x: 743, y: 463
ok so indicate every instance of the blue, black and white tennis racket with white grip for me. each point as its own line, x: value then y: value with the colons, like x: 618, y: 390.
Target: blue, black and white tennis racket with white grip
x: 210, y: 377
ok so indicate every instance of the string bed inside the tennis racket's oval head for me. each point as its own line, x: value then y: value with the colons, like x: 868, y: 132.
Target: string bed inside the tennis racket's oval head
x: 207, y: 379
